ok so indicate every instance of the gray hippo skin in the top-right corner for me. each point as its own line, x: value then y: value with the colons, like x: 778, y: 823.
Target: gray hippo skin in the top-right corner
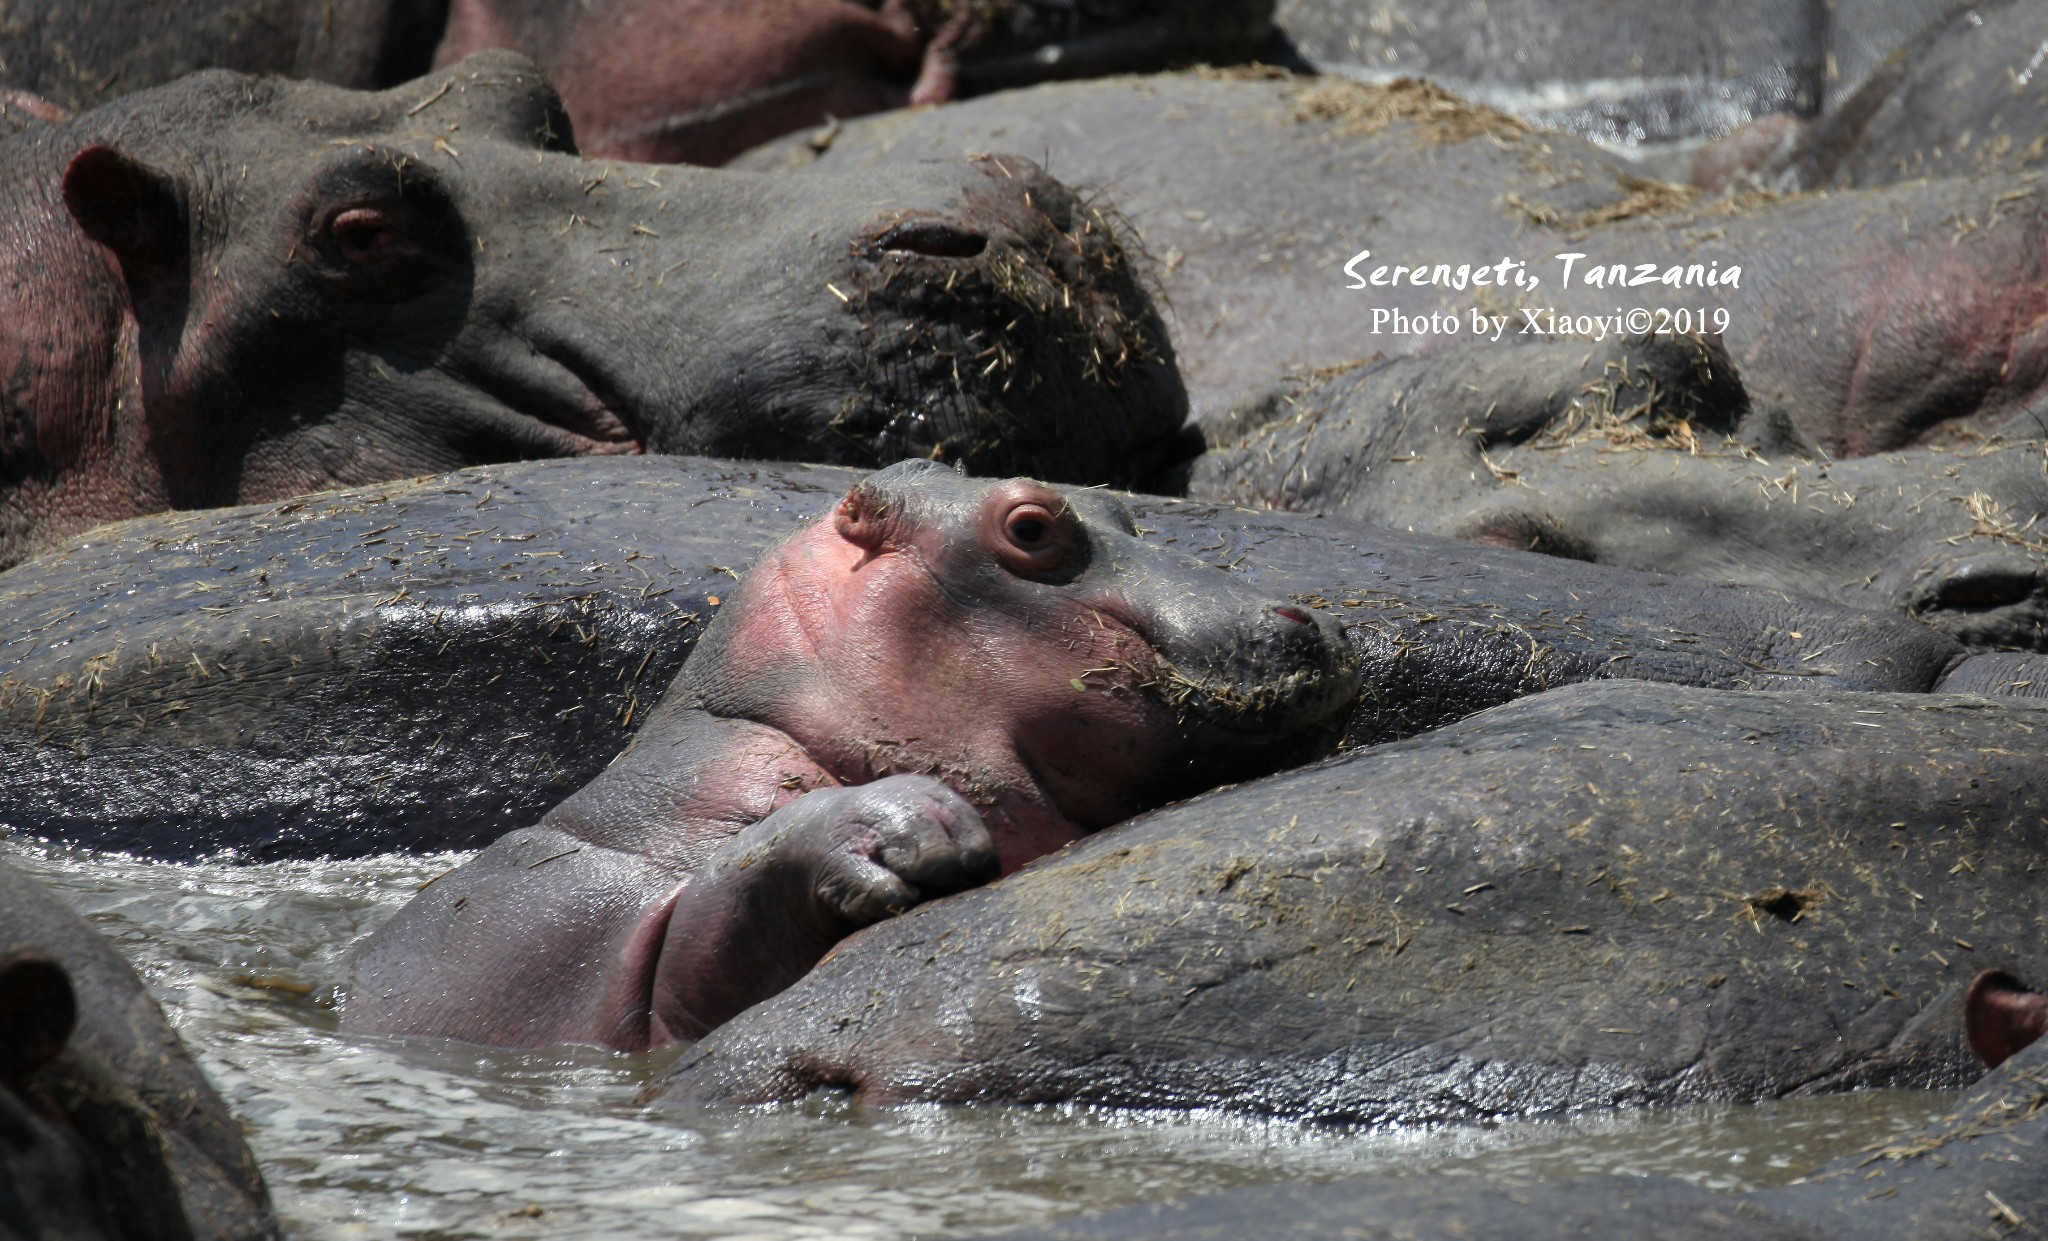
x: 1965, y: 99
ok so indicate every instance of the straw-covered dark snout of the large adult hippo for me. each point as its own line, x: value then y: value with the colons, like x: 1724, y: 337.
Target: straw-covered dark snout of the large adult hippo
x: 1015, y: 329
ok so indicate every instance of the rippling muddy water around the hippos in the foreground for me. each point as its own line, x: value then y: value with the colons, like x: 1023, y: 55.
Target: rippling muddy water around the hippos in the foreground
x: 368, y: 1138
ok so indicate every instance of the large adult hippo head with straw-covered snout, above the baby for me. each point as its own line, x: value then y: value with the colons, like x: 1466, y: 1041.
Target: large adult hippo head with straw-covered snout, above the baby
x: 239, y: 290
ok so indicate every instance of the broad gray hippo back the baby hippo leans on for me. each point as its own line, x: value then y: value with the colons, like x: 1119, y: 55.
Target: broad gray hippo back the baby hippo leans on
x: 1605, y: 896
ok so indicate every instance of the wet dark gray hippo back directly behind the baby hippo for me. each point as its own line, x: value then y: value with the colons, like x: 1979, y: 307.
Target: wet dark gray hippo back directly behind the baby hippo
x: 431, y: 665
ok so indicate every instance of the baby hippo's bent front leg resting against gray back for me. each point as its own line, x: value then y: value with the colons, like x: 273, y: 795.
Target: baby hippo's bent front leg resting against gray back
x: 781, y: 894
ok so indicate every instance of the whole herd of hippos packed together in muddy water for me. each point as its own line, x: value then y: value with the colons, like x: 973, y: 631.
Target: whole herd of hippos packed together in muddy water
x: 413, y: 439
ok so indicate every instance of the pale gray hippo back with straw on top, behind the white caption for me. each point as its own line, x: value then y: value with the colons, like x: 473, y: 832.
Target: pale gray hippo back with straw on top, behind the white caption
x: 1875, y: 318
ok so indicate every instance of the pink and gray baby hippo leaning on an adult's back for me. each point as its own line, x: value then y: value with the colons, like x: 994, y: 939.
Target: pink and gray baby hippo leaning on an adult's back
x: 929, y: 687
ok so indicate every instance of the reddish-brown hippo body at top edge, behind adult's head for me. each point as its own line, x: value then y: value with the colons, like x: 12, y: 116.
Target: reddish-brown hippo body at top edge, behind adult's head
x: 703, y: 81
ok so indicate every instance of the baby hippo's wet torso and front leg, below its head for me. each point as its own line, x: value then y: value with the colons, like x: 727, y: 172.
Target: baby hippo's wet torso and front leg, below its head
x: 632, y: 949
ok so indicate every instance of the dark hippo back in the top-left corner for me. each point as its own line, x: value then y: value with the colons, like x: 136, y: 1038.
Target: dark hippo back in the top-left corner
x: 81, y: 54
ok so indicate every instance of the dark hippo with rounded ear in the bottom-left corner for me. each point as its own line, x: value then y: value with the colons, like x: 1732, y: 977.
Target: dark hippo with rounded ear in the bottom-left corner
x: 108, y: 1129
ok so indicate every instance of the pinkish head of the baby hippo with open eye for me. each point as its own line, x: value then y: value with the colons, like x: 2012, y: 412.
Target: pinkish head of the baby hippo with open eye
x: 1023, y: 646
